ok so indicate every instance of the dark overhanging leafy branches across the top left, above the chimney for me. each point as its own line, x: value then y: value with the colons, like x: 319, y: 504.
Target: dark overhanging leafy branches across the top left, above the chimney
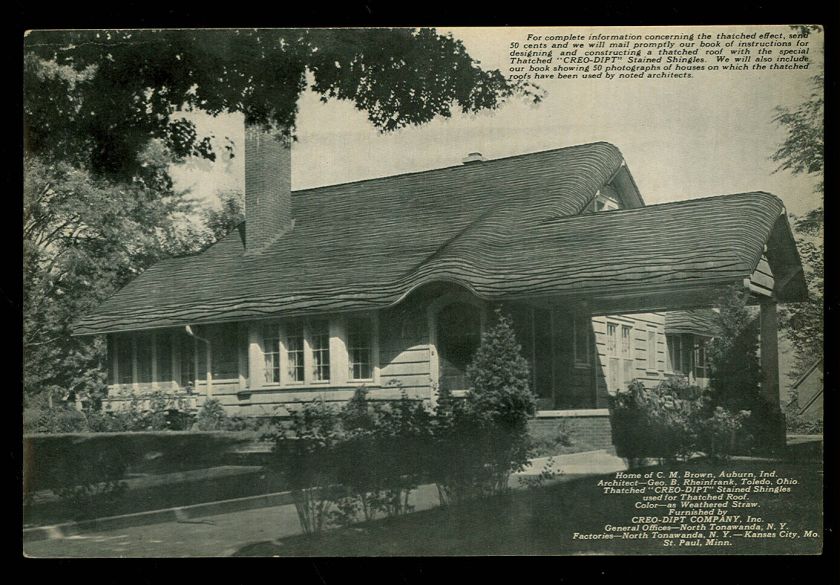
x: 96, y: 98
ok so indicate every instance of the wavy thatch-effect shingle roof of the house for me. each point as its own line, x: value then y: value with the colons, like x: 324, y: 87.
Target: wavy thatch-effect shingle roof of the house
x: 502, y: 228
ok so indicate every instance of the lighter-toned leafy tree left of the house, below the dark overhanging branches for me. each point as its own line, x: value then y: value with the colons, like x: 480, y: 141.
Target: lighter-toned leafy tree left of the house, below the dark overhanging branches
x: 82, y: 239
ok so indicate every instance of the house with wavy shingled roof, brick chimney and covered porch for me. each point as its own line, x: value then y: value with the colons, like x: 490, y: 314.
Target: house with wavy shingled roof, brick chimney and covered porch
x: 388, y: 283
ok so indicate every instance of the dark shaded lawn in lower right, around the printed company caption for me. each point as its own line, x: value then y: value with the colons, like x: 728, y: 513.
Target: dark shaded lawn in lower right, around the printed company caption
x: 542, y: 521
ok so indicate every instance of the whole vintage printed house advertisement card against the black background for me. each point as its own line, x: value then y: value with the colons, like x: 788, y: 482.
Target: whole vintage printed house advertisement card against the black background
x: 423, y: 292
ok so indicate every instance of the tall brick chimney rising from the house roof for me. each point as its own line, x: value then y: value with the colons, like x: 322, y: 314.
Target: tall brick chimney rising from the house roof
x: 268, y: 187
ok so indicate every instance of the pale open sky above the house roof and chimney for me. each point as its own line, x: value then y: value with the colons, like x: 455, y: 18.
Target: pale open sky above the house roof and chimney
x: 681, y: 138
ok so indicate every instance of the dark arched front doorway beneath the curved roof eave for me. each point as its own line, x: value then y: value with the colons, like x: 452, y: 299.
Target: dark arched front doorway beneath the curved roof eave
x: 458, y: 337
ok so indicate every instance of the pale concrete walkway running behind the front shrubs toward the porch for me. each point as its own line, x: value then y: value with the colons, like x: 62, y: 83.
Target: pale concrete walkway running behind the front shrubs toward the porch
x: 205, y: 534
